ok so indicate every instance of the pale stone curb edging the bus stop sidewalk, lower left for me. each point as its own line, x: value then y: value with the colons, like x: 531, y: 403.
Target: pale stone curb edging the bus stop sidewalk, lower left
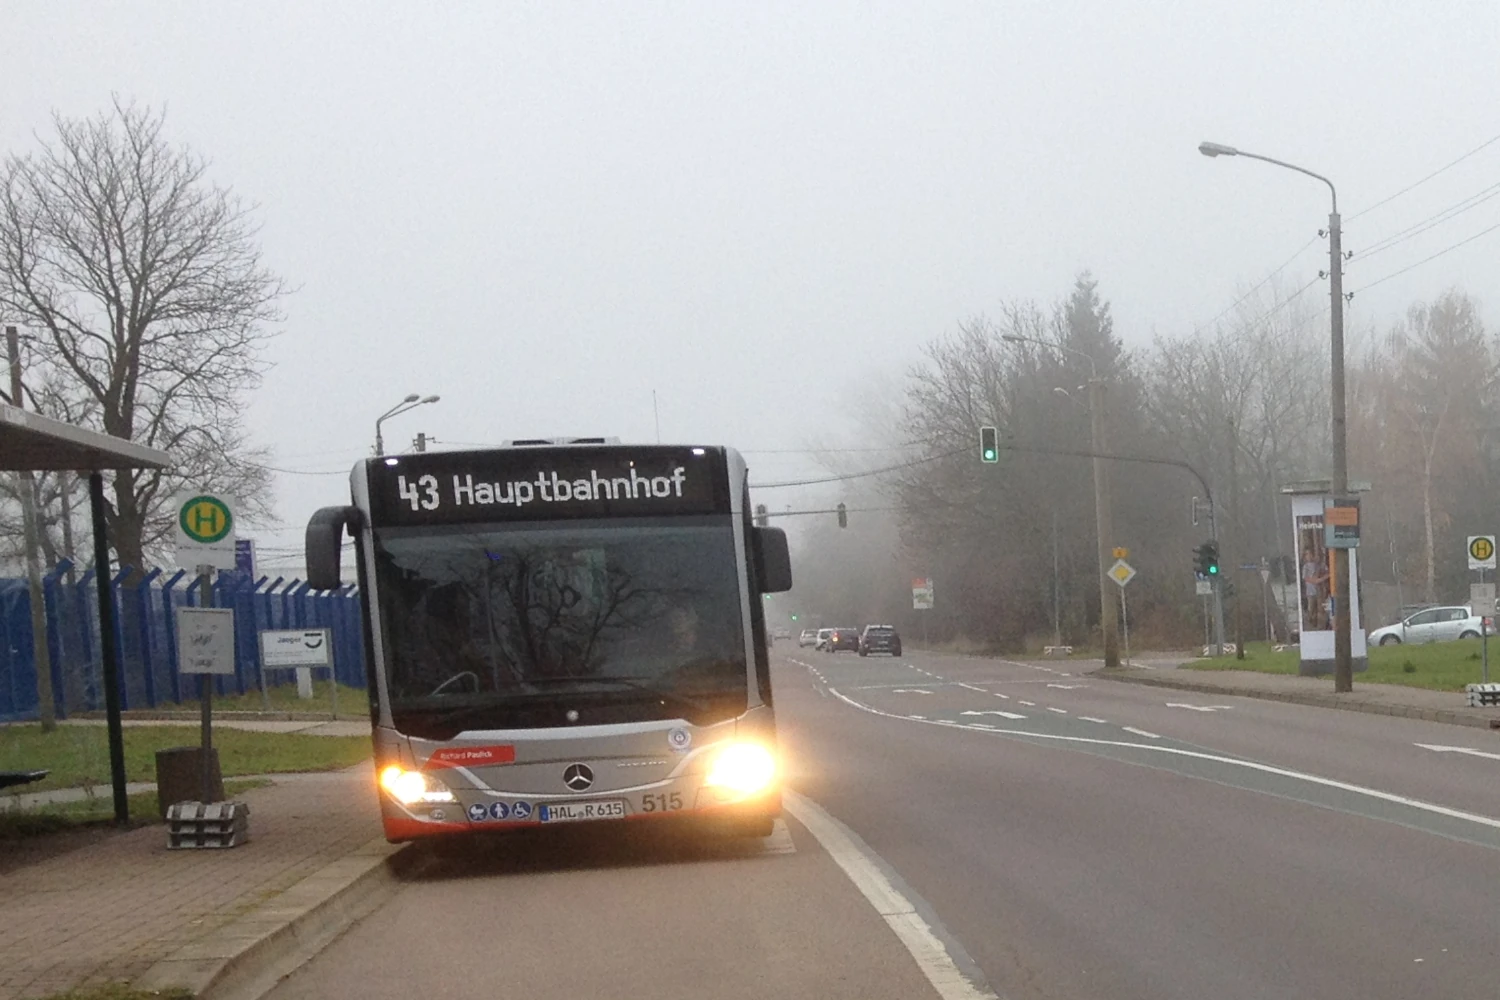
x: 248, y: 957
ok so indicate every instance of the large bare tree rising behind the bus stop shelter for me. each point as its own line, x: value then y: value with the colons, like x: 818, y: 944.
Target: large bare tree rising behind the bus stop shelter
x: 146, y: 284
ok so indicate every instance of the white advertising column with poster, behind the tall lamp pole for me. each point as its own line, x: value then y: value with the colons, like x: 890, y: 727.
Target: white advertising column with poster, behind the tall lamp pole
x: 1316, y: 588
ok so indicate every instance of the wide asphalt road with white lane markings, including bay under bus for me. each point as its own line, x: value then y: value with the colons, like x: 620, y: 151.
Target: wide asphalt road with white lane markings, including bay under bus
x: 1055, y: 836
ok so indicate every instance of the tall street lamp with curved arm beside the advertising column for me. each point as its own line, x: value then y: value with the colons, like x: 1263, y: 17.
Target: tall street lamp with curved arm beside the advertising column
x: 1343, y: 648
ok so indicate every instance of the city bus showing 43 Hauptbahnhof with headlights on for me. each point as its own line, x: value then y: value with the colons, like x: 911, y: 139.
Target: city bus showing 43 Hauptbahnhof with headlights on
x: 563, y: 630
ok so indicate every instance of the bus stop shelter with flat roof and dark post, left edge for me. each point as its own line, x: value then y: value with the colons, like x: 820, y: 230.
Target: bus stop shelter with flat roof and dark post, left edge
x: 41, y: 445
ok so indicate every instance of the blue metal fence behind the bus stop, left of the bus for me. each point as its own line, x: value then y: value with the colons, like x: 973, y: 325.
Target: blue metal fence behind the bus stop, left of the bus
x: 146, y: 642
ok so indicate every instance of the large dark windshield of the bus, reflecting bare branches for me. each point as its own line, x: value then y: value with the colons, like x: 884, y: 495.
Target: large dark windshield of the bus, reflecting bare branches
x: 560, y: 623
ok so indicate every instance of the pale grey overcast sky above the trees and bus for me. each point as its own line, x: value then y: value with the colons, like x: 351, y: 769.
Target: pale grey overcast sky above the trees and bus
x: 545, y: 212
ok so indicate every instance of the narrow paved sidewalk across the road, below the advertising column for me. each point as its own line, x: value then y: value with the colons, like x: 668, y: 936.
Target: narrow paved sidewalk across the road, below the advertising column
x: 1381, y: 699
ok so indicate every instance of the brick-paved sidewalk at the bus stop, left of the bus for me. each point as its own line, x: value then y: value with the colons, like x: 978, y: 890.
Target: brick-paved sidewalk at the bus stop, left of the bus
x: 116, y: 908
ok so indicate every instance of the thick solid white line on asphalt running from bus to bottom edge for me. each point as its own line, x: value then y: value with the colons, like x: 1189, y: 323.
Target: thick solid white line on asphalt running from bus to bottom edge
x: 898, y: 911
